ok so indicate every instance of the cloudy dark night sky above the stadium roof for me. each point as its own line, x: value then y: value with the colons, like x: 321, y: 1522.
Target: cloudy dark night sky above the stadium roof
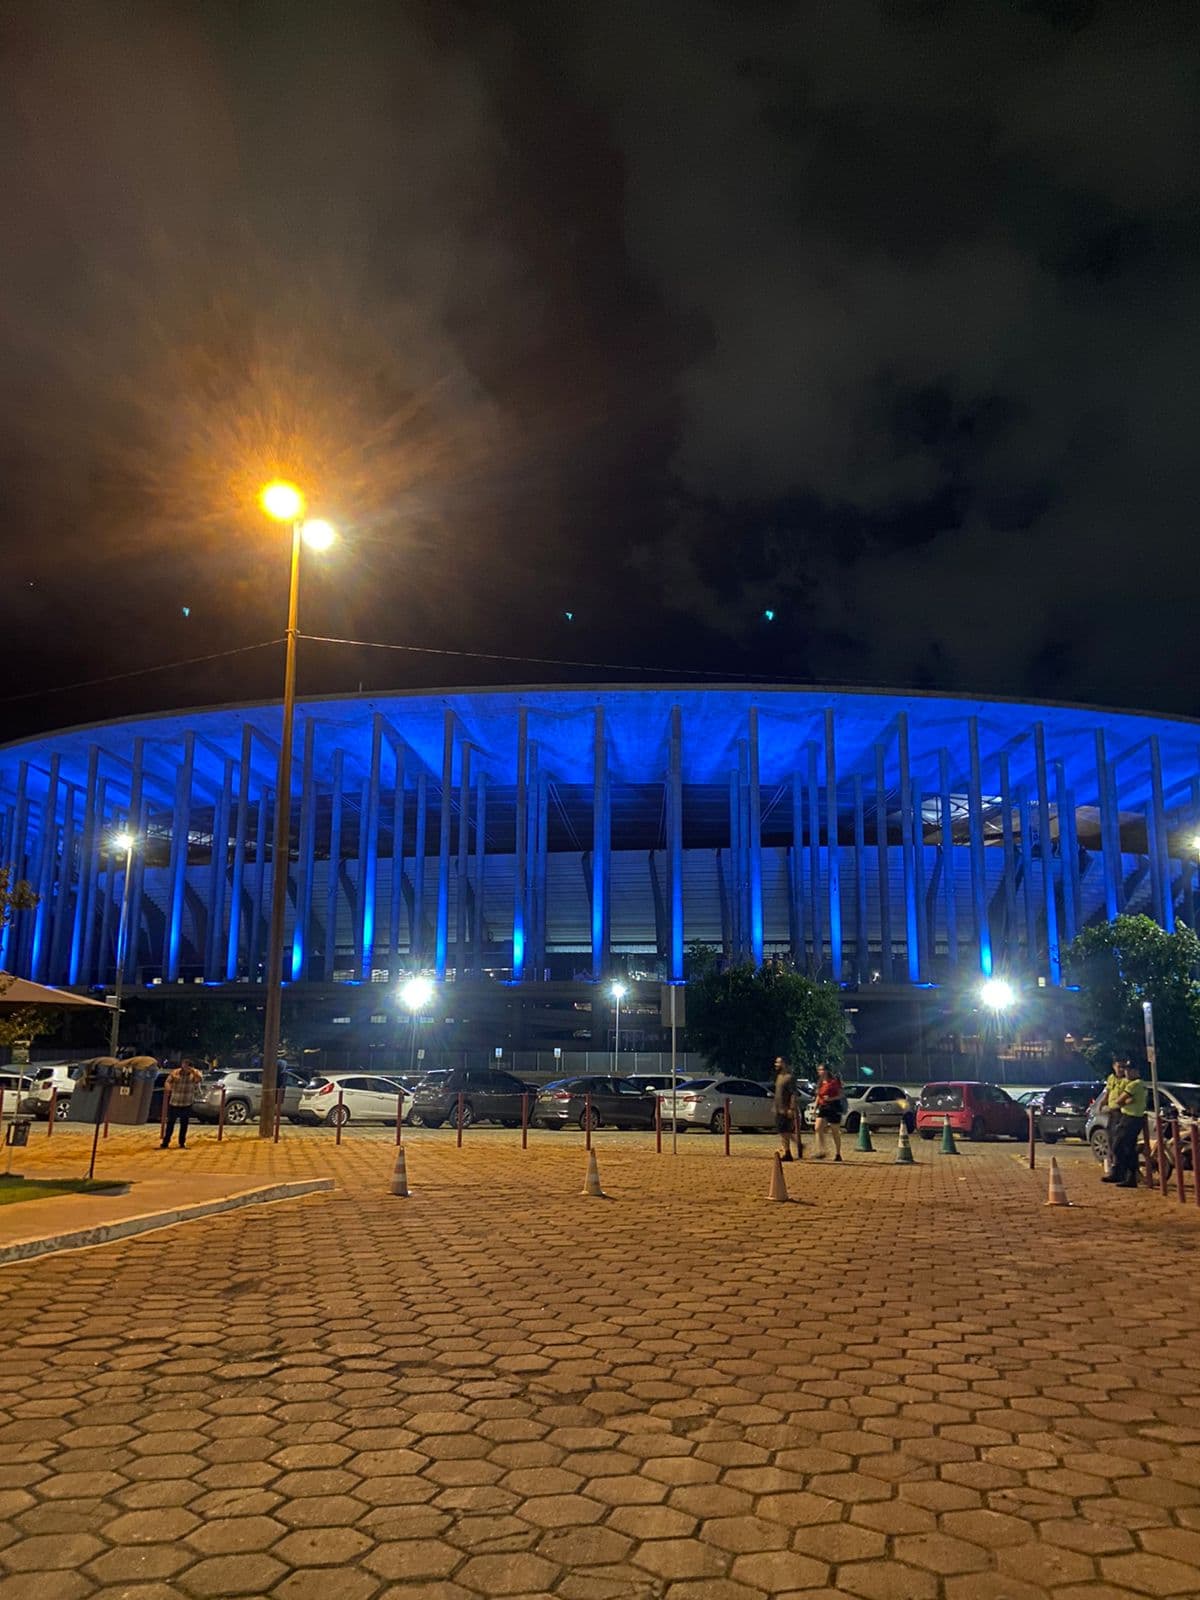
x: 881, y: 316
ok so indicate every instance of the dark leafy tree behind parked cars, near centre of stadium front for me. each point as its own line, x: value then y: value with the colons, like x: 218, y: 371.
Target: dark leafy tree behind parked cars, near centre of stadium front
x: 742, y: 1018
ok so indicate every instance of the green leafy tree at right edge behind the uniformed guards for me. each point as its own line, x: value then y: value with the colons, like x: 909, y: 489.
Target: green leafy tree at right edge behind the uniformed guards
x: 1126, y: 962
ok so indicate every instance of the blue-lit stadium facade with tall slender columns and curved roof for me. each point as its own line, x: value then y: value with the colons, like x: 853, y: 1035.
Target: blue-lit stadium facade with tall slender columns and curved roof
x: 538, y: 833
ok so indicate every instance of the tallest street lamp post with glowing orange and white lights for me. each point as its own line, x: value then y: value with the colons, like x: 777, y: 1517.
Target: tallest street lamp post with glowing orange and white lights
x: 282, y: 502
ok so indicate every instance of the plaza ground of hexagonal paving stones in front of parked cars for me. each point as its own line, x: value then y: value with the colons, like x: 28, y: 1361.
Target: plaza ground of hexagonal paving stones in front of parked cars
x: 916, y: 1385
